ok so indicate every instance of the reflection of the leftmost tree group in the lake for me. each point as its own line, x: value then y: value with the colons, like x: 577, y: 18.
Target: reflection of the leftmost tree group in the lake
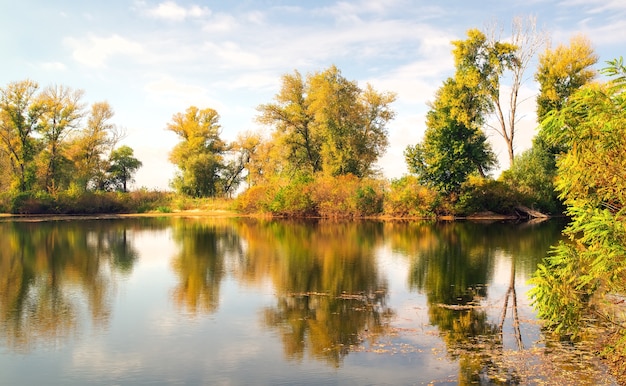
x: 50, y: 273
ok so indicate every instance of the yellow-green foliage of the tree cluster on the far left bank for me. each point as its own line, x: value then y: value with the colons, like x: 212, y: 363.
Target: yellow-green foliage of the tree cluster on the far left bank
x: 46, y: 146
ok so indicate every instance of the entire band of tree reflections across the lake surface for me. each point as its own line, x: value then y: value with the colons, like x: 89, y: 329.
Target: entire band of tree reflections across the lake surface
x: 330, y: 295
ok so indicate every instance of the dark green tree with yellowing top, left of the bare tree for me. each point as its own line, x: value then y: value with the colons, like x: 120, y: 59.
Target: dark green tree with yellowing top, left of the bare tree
x: 453, y: 146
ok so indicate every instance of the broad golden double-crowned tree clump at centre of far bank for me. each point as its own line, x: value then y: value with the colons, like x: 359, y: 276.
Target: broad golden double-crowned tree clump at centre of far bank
x: 327, y: 123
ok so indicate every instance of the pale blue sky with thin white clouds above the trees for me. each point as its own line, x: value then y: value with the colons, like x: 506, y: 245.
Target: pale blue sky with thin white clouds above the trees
x: 150, y: 59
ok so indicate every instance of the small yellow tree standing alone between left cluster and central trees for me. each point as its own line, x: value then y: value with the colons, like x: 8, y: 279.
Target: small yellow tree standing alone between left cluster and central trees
x: 199, y: 156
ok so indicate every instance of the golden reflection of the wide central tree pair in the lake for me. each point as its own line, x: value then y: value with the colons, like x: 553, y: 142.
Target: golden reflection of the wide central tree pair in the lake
x: 329, y: 290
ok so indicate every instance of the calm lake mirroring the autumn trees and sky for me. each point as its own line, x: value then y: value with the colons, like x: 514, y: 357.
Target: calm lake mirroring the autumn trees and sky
x: 199, y: 300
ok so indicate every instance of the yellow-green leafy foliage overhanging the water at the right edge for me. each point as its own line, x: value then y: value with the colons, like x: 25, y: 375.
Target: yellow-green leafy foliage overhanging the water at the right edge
x: 573, y: 281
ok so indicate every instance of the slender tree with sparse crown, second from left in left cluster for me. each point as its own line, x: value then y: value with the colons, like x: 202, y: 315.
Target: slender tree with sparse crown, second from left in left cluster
x: 61, y: 112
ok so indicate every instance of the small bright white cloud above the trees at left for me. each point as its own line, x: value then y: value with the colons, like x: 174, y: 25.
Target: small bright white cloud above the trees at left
x: 94, y: 51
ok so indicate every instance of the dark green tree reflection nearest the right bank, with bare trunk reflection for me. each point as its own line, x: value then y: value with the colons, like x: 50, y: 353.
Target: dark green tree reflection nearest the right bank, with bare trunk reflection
x: 452, y: 264
